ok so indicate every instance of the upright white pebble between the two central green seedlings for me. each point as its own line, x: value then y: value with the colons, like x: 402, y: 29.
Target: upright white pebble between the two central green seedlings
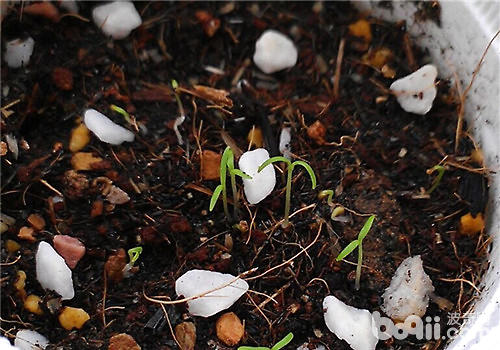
x: 261, y: 184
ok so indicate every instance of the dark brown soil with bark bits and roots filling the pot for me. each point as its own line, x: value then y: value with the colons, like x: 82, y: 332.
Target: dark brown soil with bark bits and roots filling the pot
x: 347, y: 126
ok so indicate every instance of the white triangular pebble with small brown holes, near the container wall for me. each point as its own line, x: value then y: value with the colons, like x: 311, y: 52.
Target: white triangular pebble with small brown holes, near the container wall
x: 416, y: 92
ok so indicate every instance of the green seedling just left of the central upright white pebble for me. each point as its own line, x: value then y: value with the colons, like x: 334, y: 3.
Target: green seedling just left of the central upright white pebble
x: 227, y: 162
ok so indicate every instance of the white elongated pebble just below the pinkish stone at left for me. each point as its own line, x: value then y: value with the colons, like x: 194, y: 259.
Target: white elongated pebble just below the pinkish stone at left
x: 52, y: 271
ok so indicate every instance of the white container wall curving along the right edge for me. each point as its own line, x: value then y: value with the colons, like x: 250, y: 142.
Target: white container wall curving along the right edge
x: 466, y: 28
